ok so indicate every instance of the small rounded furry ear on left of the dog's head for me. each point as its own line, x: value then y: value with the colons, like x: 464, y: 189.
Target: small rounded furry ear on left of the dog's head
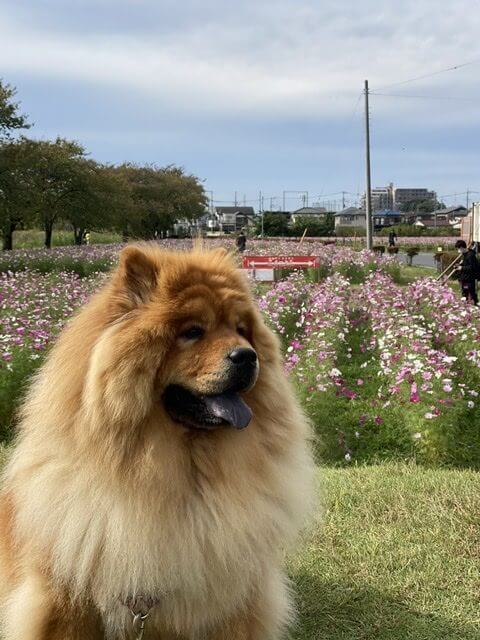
x: 138, y: 274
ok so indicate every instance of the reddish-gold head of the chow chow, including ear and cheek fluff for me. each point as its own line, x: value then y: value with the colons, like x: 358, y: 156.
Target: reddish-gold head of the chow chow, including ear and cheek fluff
x: 186, y: 337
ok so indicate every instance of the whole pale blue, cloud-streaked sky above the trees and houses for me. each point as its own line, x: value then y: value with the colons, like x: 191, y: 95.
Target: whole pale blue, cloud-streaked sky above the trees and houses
x: 262, y: 96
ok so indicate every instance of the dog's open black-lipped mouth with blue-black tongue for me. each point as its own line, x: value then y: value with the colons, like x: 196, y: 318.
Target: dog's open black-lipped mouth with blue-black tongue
x: 206, y: 412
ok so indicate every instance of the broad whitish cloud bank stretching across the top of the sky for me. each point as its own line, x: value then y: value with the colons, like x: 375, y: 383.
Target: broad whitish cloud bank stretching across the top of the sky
x: 275, y: 59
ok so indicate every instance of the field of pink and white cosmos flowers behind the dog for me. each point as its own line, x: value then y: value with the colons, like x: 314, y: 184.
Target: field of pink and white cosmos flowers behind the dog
x: 384, y: 370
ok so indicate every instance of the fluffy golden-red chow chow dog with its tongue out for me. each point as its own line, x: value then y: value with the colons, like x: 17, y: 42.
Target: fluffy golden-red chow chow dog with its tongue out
x: 161, y: 468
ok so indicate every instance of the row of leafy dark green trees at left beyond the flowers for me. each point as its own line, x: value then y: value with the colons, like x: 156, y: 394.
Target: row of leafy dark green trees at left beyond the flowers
x: 47, y: 182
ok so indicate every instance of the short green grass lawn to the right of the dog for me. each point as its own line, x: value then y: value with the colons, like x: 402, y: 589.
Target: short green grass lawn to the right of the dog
x: 397, y: 557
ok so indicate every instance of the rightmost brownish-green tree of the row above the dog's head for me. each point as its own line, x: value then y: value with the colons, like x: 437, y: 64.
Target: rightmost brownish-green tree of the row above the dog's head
x: 161, y: 196
